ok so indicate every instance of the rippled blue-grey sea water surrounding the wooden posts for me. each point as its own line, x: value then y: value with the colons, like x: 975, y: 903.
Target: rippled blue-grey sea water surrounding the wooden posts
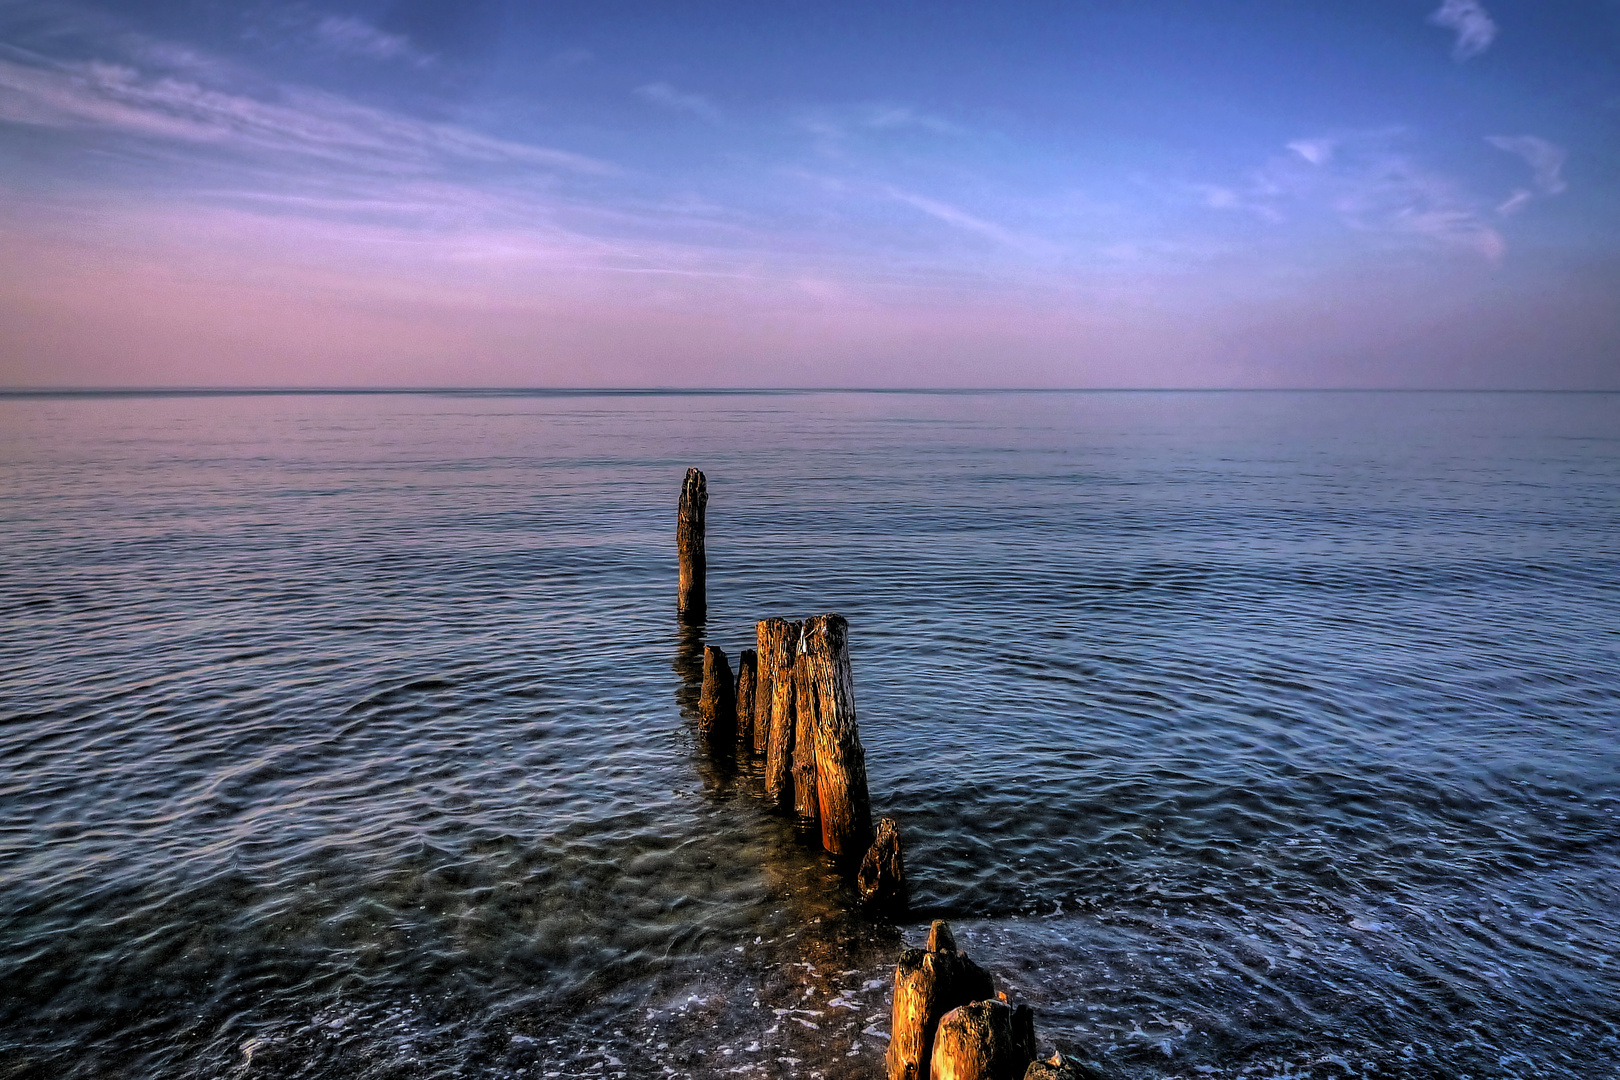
x: 1245, y: 734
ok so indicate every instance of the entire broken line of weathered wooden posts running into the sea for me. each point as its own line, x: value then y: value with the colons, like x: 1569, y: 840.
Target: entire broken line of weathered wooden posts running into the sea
x: 793, y: 704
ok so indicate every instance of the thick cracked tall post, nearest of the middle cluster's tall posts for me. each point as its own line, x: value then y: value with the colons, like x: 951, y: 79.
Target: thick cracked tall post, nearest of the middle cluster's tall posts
x: 840, y: 760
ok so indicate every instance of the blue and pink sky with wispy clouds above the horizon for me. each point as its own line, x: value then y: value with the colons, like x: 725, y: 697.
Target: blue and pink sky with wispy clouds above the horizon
x: 811, y: 193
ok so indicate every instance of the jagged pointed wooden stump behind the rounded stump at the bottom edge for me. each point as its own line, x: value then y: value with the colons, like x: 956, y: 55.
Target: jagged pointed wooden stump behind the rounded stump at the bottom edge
x: 927, y: 985
